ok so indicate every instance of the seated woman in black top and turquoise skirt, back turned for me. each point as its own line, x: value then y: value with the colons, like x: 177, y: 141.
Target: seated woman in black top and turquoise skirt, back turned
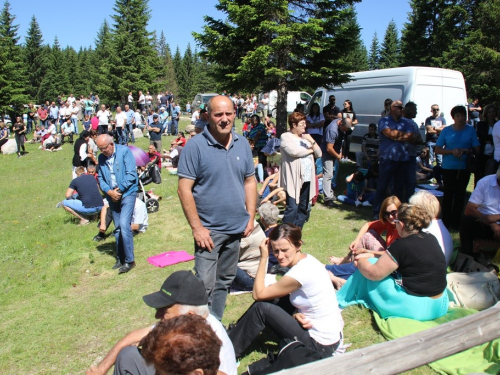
x: 409, y: 280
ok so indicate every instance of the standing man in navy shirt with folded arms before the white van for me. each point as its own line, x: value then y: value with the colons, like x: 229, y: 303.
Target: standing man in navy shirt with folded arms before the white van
x: 394, y: 160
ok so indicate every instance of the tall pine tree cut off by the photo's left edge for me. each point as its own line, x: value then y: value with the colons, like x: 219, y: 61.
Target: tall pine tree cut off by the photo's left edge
x: 12, y: 69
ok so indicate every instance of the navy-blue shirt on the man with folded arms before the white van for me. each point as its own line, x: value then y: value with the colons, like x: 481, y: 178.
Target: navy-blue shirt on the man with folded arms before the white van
x: 389, y: 149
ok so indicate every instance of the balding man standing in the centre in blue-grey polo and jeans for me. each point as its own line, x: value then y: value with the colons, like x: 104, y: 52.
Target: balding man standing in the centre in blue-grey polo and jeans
x: 218, y: 194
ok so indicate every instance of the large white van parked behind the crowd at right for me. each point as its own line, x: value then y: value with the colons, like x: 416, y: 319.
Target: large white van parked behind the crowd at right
x: 422, y: 85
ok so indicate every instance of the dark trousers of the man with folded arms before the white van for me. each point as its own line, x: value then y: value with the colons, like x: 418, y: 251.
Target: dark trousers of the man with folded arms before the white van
x: 389, y: 169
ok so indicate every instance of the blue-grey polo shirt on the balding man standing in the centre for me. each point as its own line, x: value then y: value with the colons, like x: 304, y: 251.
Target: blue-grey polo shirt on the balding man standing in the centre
x: 219, y: 176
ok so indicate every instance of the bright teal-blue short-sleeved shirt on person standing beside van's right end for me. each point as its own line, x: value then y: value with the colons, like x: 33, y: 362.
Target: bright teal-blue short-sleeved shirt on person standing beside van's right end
x: 450, y: 139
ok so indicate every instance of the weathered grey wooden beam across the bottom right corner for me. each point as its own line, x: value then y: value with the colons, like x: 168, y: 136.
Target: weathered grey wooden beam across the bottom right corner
x: 406, y: 353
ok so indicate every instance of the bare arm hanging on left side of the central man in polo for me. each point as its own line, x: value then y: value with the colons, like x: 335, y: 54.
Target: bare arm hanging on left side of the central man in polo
x: 200, y: 233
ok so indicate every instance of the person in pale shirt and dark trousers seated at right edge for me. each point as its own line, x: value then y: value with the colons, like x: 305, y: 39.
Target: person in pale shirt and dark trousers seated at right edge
x: 481, y: 219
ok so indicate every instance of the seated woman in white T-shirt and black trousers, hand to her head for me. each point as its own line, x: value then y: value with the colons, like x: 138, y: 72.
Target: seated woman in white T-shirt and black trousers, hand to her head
x: 305, y: 288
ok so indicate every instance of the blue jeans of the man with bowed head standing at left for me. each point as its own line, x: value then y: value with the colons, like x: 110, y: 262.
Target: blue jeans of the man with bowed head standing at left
x: 122, y: 217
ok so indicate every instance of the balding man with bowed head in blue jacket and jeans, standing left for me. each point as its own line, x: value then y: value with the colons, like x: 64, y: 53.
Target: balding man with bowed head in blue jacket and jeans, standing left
x: 118, y: 180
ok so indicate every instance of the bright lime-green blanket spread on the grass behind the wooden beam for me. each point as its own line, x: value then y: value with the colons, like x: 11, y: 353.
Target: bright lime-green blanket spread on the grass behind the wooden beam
x: 480, y: 359
